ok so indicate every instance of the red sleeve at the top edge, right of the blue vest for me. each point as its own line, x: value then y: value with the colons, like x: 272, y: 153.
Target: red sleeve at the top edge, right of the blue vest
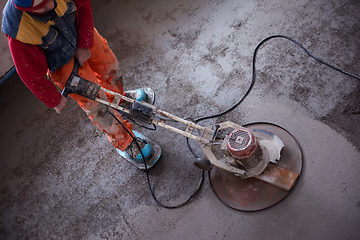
x: 84, y: 24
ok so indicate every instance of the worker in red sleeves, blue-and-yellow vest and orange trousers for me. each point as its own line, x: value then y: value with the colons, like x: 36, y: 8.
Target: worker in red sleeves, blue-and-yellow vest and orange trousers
x: 46, y: 38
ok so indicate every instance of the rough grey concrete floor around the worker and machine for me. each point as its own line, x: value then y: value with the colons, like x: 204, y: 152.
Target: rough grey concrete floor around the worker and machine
x: 62, y: 179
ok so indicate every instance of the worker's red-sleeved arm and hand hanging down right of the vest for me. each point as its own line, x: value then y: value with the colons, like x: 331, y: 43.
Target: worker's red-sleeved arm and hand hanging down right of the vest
x: 85, y: 29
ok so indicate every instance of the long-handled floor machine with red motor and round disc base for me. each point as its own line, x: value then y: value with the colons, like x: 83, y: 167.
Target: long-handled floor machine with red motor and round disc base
x: 251, y: 167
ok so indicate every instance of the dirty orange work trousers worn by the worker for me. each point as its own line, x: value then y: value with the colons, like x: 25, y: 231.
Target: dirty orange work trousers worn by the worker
x: 101, y: 68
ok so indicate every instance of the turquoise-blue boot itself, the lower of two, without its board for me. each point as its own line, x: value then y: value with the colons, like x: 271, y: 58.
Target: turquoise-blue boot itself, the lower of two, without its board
x: 133, y: 150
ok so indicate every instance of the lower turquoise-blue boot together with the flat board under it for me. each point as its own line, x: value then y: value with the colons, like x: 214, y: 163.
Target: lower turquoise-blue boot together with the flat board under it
x: 150, y: 150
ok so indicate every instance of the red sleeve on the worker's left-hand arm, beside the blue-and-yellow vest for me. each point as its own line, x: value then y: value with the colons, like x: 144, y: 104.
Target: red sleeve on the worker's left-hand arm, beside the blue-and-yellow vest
x: 31, y: 66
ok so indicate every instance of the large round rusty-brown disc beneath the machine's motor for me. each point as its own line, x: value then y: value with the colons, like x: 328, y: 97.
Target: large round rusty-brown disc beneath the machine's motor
x: 252, y: 194
